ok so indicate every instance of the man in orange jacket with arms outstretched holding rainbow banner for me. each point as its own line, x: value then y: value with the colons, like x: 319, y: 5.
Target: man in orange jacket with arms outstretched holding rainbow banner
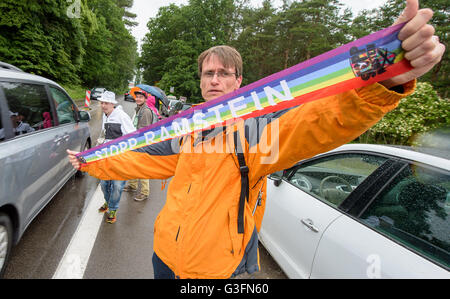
x: 196, y: 233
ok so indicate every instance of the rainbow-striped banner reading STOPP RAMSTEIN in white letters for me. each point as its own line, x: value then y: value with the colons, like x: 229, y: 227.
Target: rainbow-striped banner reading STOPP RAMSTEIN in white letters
x: 371, y: 59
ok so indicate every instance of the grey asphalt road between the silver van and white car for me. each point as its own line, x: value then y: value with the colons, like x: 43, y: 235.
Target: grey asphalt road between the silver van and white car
x: 120, y: 250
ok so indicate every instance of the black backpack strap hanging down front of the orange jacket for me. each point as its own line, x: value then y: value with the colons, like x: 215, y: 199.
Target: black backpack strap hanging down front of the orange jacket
x: 243, y: 168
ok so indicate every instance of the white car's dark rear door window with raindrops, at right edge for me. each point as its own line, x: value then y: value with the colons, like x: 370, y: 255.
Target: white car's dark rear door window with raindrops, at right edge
x: 414, y: 210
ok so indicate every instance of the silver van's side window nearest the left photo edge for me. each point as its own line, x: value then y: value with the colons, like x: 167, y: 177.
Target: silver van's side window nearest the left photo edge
x: 29, y: 108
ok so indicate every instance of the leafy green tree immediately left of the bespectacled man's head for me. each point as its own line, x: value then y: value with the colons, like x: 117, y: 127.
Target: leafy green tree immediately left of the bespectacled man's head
x: 177, y: 35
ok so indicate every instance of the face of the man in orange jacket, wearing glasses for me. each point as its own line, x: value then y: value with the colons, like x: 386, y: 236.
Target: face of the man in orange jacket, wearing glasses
x: 215, y: 86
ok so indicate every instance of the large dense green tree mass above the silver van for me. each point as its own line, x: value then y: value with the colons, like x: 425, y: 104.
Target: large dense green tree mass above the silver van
x: 91, y: 46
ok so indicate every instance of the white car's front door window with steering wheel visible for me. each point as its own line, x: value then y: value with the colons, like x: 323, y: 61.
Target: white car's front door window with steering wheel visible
x: 332, y: 178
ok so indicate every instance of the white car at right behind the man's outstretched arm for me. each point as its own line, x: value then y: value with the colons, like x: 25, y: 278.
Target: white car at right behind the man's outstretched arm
x: 361, y: 211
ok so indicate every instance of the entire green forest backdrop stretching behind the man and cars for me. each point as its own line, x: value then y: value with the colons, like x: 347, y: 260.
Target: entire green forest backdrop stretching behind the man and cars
x: 81, y: 44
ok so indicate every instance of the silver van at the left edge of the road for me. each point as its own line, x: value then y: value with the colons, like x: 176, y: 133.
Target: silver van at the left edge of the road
x: 38, y: 122
